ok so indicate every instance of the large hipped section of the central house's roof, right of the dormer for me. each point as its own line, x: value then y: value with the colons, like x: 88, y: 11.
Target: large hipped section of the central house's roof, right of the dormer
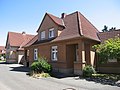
x: 77, y: 25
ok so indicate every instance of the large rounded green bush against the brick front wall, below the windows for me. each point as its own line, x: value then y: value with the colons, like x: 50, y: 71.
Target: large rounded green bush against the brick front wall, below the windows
x: 41, y: 66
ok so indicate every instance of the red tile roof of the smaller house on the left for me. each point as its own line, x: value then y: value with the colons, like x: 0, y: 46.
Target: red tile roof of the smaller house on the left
x: 18, y: 39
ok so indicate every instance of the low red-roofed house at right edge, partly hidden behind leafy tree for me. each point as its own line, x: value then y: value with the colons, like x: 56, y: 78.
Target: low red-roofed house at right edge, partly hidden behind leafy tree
x: 112, y: 66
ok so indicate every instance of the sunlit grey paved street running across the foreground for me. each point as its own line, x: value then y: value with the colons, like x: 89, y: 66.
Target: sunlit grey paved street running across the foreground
x: 13, y: 77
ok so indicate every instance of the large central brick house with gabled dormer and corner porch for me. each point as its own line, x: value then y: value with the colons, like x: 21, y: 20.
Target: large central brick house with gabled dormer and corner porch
x: 66, y: 42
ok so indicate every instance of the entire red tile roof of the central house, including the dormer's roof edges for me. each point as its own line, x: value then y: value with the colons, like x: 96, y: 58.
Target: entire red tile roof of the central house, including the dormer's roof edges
x: 75, y: 25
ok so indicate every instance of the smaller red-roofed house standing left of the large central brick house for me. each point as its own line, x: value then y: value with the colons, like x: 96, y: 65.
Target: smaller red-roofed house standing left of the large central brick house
x: 15, y: 42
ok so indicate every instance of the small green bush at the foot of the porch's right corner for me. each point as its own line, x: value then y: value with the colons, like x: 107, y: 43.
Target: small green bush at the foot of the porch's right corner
x: 88, y: 71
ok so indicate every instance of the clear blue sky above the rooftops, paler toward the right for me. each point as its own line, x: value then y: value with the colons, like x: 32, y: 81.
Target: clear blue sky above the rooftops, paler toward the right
x: 26, y: 15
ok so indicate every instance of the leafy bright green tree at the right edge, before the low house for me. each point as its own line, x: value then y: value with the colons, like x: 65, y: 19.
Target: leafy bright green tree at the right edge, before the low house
x: 110, y: 49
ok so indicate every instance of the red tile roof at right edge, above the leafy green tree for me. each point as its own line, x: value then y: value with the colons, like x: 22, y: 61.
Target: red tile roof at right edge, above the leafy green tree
x: 107, y: 35
